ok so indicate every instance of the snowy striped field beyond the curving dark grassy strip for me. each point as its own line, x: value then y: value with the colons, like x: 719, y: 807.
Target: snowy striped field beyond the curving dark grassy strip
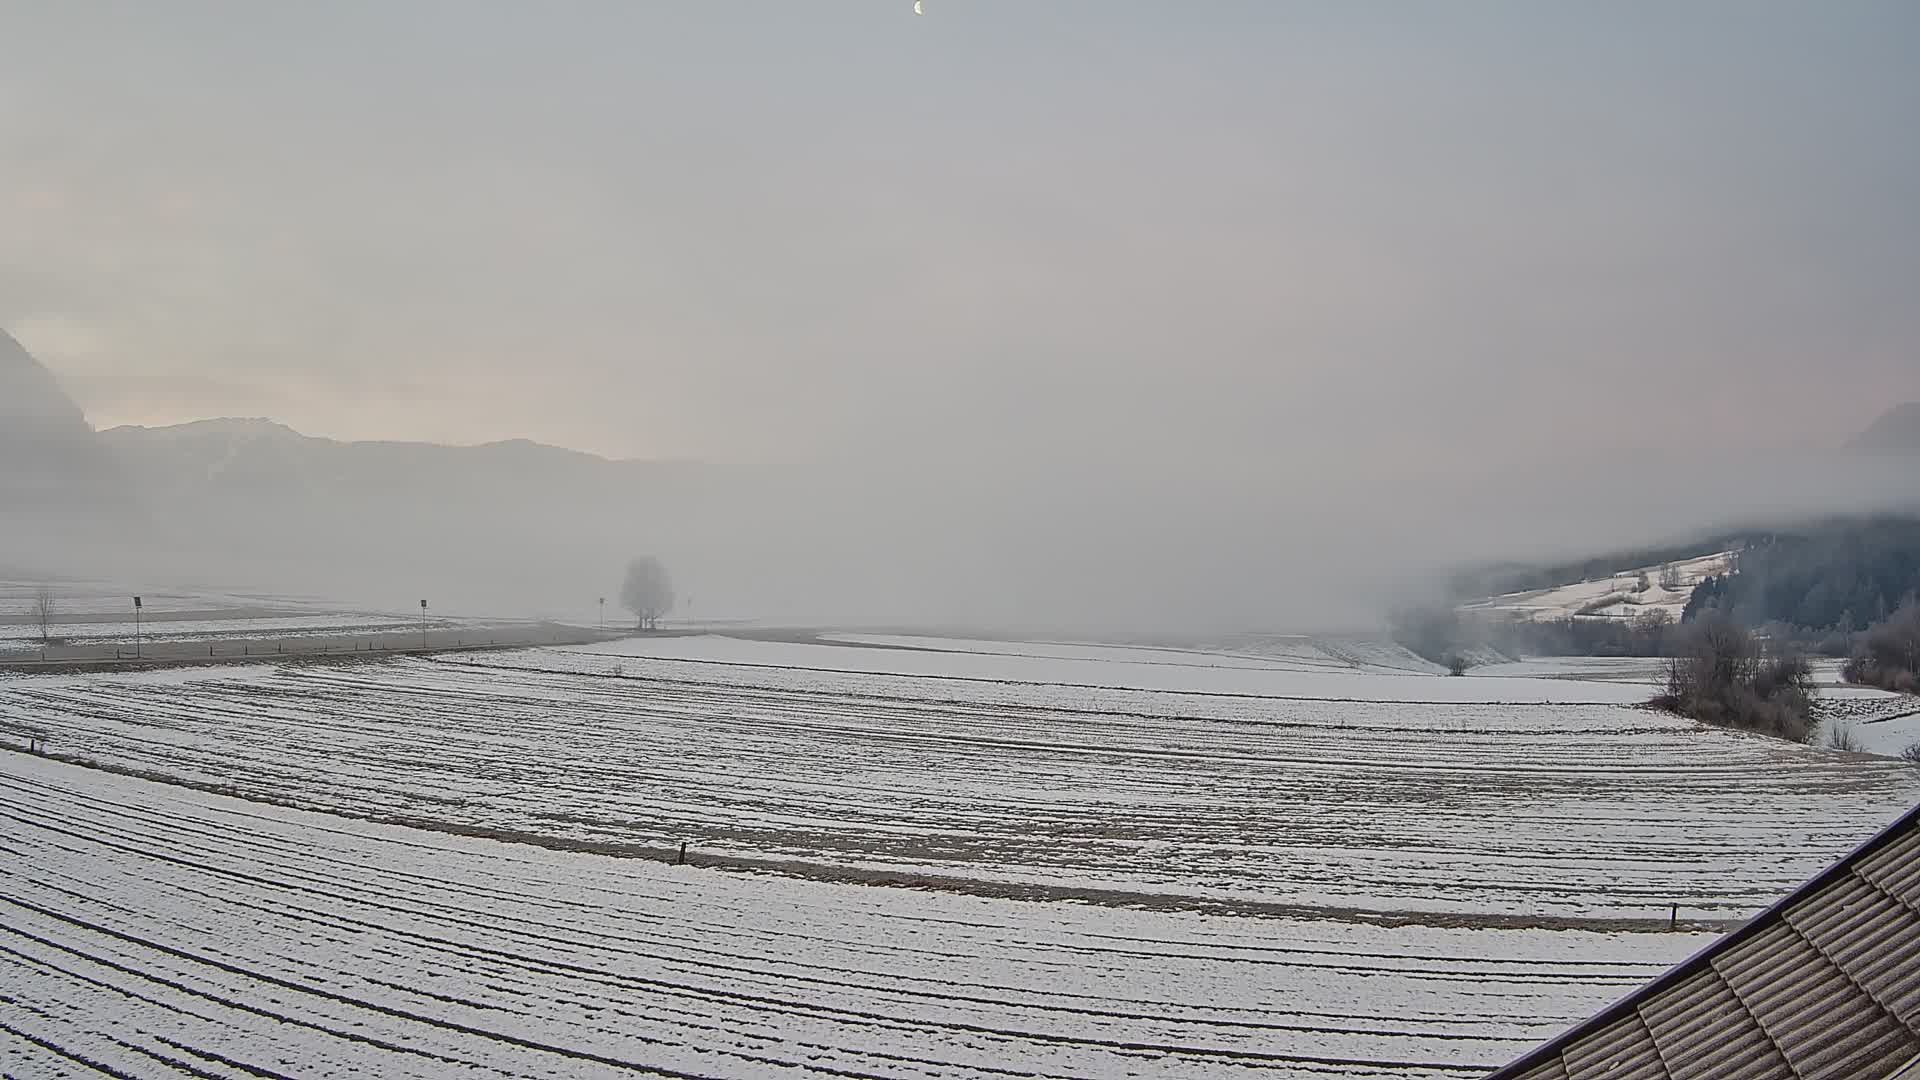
x: 1209, y: 800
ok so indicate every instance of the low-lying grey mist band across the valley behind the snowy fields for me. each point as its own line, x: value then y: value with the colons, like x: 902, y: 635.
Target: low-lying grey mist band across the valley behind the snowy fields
x: 1070, y: 543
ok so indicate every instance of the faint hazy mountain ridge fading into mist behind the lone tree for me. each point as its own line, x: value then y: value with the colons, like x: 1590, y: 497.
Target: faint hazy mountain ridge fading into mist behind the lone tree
x: 514, y: 524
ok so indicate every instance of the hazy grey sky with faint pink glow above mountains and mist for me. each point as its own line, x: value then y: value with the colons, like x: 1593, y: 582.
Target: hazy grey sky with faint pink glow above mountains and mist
x: 1232, y: 232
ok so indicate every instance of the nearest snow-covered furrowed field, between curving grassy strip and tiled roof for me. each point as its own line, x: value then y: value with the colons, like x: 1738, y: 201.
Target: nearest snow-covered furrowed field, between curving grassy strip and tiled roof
x: 147, y: 925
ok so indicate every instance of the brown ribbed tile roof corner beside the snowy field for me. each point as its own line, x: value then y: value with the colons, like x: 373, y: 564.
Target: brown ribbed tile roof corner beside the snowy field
x: 1819, y: 987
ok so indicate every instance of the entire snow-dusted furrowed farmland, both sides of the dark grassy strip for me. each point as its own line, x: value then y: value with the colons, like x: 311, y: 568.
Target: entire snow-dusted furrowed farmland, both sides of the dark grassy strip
x: 1124, y: 862
